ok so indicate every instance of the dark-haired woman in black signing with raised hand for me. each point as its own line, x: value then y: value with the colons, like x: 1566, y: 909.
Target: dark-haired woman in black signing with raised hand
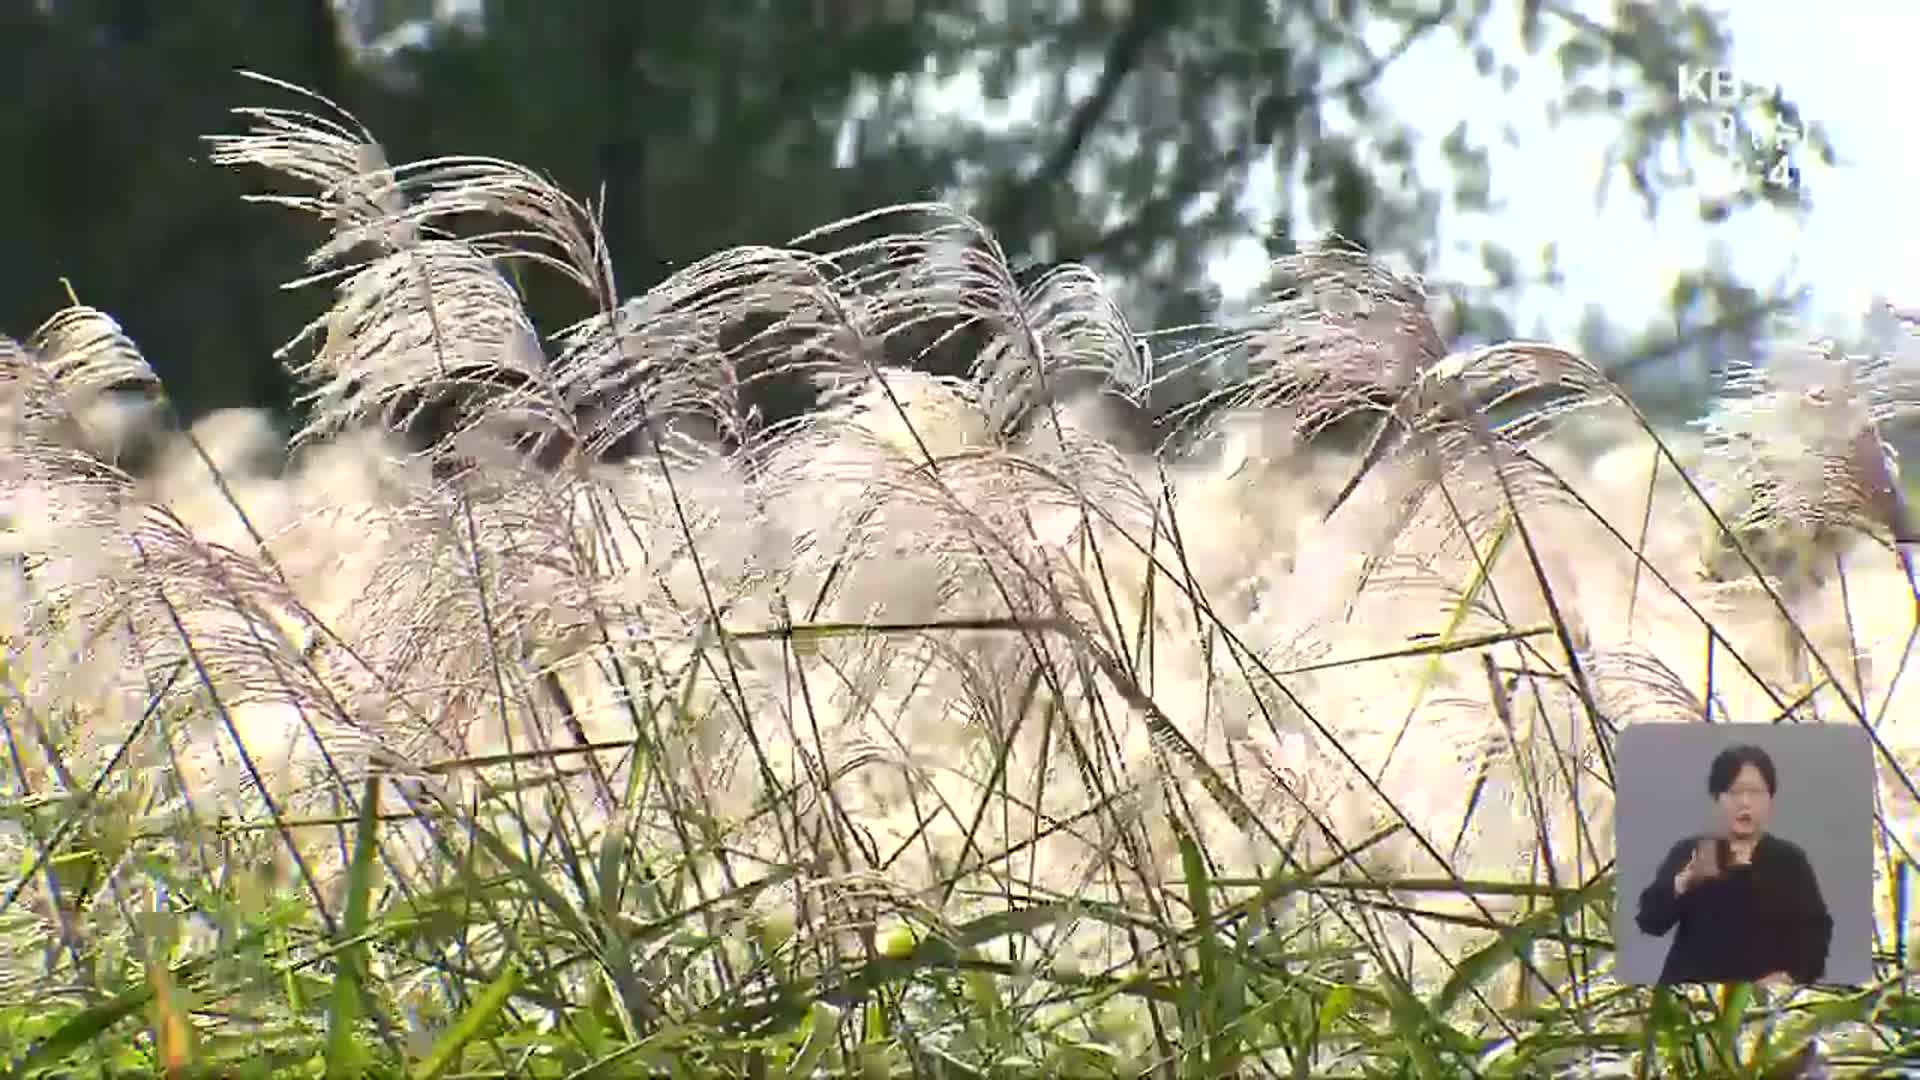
x: 1746, y: 902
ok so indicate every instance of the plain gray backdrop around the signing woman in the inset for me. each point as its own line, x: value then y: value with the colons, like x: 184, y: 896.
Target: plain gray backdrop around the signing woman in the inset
x: 1825, y: 804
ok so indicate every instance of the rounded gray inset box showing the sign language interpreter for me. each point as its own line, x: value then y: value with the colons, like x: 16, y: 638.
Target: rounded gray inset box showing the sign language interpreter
x: 1744, y: 854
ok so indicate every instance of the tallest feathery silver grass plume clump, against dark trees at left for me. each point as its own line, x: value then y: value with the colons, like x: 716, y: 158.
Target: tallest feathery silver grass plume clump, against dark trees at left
x: 427, y: 320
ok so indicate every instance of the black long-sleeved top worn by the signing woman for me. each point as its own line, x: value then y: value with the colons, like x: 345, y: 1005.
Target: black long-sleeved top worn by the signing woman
x: 1752, y: 921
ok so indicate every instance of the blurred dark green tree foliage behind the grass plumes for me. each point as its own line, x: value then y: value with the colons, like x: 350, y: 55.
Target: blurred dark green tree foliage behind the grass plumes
x: 729, y: 122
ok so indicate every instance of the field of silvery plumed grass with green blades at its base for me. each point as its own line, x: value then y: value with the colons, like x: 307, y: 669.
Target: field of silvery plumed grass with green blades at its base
x: 940, y: 733
